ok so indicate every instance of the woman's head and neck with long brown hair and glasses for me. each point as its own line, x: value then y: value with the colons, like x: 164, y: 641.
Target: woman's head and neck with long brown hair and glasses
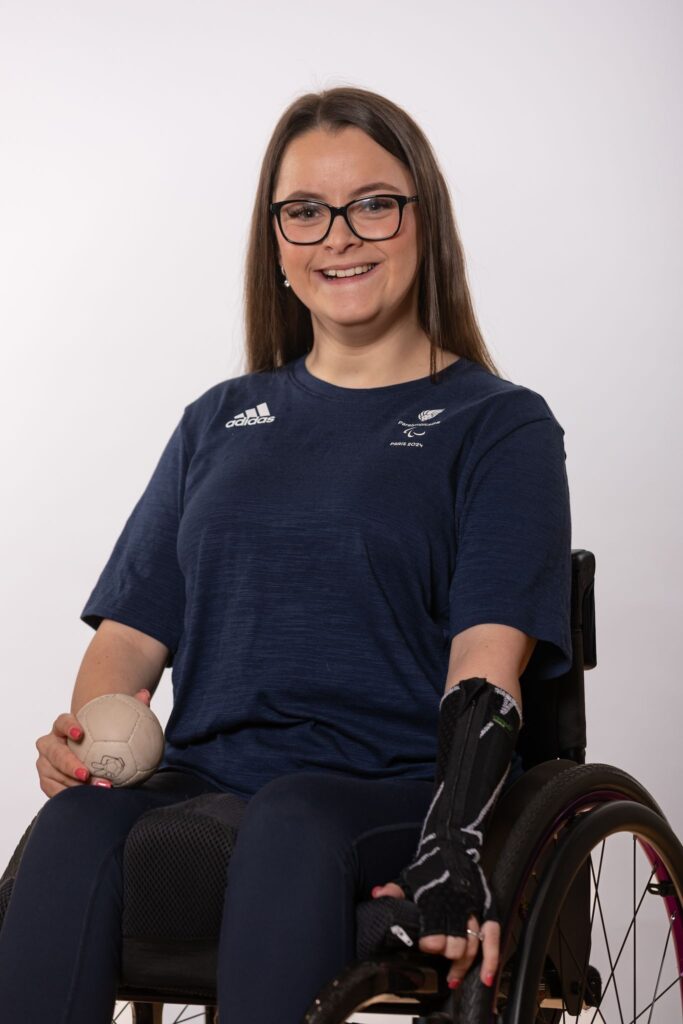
x: 413, y: 315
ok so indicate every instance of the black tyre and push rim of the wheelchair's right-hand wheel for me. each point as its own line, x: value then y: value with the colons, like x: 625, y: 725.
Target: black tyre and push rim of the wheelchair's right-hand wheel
x: 569, y: 816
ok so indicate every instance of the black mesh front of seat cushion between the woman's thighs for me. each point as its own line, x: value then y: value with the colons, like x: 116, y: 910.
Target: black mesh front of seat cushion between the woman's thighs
x: 176, y: 866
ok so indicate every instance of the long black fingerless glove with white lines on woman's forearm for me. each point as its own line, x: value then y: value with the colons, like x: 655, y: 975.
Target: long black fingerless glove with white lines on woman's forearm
x: 478, y: 731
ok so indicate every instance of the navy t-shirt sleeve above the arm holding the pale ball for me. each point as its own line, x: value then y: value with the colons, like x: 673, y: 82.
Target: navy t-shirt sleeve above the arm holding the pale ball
x: 142, y: 584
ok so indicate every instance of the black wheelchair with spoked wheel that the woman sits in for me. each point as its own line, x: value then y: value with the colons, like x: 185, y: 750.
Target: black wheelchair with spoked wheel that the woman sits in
x: 587, y: 874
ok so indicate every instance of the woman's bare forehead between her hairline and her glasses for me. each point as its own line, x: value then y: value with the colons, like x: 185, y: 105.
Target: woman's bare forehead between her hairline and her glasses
x: 335, y: 163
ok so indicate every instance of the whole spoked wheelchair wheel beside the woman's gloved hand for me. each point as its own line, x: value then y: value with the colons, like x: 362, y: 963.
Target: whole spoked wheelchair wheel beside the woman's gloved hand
x: 590, y: 889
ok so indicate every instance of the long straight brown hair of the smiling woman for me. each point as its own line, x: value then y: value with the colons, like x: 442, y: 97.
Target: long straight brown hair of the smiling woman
x: 278, y: 325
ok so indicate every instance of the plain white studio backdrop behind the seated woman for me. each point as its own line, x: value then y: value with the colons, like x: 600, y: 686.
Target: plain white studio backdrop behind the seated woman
x: 132, y: 136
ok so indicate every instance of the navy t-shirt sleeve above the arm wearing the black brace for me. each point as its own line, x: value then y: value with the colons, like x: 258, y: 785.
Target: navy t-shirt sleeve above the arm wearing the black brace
x: 514, y: 561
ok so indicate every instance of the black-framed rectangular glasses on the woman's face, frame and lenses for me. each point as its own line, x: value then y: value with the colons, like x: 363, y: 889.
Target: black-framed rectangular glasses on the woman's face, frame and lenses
x: 373, y: 219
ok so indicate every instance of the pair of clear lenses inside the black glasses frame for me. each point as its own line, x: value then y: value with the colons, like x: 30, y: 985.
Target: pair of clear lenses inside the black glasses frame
x: 376, y: 218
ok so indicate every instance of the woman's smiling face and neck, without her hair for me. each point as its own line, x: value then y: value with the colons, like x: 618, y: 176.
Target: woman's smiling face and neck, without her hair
x: 369, y: 317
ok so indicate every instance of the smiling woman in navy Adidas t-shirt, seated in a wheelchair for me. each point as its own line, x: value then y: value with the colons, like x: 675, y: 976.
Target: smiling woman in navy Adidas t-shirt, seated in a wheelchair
x: 349, y: 556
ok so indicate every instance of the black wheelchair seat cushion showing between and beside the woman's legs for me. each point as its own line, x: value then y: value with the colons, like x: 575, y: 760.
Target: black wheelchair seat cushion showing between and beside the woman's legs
x: 176, y: 865
